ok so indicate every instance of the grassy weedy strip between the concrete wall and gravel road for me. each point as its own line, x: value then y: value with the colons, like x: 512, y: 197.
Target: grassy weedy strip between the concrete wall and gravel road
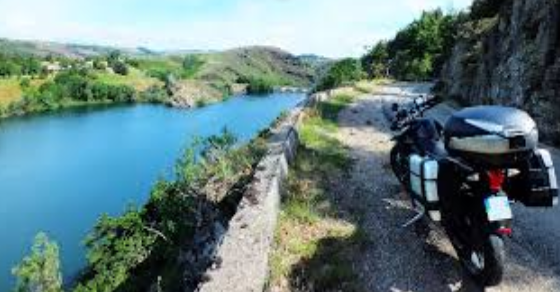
x: 317, y: 239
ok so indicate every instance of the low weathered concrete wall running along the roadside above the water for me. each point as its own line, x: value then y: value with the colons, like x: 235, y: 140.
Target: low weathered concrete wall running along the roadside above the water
x: 242, y: 259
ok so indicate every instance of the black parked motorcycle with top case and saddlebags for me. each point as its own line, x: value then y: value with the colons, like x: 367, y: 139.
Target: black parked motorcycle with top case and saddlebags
x: 466, y: 173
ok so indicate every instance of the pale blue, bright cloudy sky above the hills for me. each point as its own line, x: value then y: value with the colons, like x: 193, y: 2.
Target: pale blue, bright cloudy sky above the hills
x: 332, y: 28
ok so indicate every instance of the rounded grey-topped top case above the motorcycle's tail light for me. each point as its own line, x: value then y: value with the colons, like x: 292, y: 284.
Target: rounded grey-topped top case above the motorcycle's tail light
x: 491, y: 136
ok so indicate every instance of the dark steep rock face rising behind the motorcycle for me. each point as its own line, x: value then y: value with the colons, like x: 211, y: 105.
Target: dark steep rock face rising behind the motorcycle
x: 511, y: 58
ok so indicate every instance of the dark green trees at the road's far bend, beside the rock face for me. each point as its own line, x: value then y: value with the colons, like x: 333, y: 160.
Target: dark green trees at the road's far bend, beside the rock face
x: 417, y: 52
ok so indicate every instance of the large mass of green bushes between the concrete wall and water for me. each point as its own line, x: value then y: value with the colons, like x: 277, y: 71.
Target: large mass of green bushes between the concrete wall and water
x: 131, y: 251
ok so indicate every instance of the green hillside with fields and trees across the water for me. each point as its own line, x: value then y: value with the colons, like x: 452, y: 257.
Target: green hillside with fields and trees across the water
x: 94, y: 74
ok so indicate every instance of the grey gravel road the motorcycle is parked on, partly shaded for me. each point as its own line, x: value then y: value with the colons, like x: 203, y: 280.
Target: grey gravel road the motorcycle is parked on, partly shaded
x: 400, y: 259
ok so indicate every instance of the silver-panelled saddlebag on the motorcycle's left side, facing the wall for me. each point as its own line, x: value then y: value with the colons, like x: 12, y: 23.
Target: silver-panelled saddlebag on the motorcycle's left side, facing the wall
x: 423, y: 187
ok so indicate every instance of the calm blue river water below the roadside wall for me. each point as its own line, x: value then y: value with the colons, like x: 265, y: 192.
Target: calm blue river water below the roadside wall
x: 60, y: 171
